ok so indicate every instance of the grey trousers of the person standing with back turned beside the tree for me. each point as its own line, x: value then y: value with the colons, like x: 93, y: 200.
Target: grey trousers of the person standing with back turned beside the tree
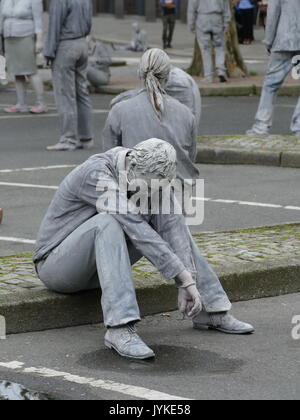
x: 210, y: 33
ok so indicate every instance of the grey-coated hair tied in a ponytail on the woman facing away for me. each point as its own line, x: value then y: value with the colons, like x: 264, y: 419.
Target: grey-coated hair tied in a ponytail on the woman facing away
x: 154, y: 70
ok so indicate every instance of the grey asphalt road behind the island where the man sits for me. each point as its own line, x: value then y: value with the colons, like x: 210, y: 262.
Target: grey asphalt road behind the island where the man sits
x: 23, y: 140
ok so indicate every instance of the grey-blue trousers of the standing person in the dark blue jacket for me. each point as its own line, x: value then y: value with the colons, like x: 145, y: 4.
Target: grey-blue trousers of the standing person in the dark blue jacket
x: 71, y: 91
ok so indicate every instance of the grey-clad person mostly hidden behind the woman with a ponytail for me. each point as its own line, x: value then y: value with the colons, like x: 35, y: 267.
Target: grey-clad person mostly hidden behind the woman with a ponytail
x: 180, y: 86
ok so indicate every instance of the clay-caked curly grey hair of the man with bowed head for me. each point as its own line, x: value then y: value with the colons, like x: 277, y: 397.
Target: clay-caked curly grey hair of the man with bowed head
x: 153, y: 157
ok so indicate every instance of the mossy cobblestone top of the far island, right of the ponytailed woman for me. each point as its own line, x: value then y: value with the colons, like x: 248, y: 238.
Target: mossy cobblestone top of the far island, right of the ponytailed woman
x: 272, y: 142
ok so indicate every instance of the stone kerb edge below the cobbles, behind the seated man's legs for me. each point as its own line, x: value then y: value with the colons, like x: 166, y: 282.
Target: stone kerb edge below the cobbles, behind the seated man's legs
x: 41, y: 310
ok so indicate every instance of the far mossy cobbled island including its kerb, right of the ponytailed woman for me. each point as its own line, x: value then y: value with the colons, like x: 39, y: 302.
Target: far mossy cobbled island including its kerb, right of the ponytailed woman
x: 250, y: 150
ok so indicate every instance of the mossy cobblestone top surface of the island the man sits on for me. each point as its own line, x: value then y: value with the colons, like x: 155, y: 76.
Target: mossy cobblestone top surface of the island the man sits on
x: 18, y: 273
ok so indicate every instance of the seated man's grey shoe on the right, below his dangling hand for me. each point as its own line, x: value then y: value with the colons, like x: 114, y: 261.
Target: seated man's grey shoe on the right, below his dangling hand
x: 222, y: 322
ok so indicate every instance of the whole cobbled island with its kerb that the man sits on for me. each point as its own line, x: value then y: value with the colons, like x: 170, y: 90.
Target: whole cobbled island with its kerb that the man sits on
x: 251, y: 264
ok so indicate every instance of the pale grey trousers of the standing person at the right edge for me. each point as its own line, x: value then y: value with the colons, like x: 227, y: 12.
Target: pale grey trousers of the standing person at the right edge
x: 280, y: 66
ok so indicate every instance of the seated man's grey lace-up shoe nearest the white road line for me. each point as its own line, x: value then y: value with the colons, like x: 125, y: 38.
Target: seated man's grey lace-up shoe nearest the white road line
x: 127, y: 343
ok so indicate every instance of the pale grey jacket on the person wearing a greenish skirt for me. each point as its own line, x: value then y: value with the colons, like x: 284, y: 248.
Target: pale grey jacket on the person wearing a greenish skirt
x: 21, y: 18
